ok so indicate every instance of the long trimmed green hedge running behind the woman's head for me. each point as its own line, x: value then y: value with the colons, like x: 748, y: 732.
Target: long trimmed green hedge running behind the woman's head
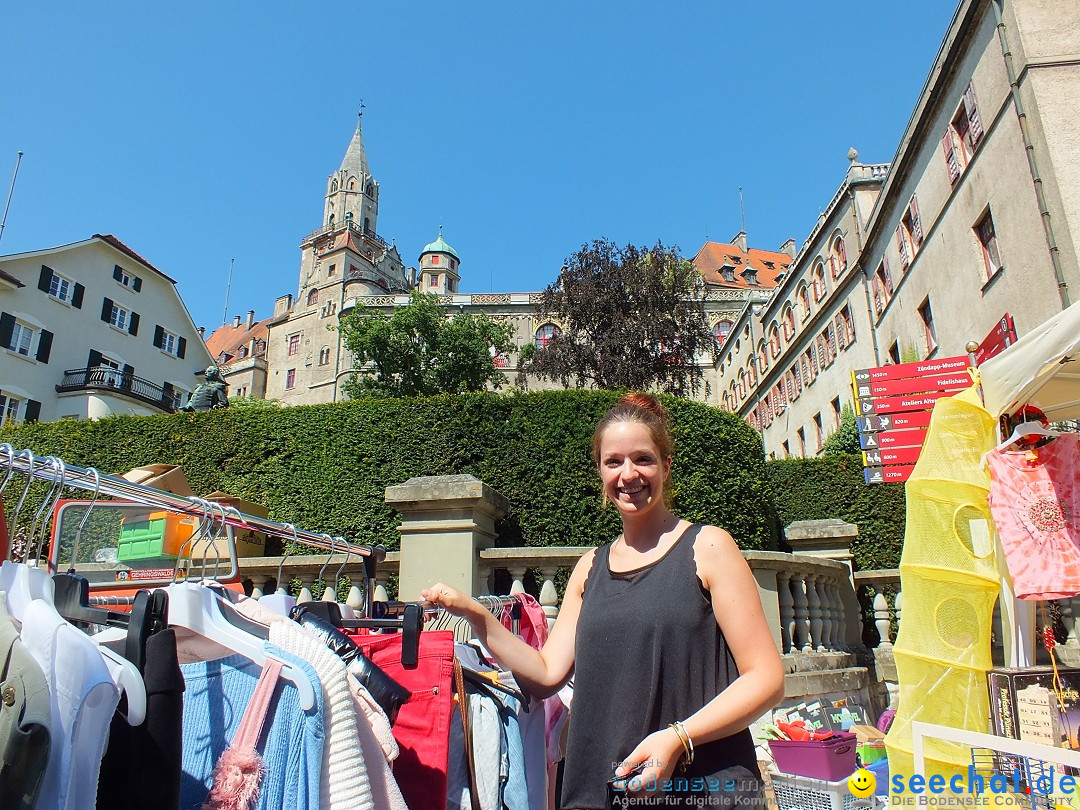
x: 326, y: 467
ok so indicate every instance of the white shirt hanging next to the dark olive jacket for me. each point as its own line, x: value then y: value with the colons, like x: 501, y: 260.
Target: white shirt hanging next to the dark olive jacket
x: 83, y: 701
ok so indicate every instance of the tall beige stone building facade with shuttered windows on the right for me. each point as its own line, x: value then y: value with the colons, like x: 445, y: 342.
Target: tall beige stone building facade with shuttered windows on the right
x: 976, y: 218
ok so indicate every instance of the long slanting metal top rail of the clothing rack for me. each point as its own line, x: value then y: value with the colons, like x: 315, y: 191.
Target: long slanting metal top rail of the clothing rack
x: 56, y: 471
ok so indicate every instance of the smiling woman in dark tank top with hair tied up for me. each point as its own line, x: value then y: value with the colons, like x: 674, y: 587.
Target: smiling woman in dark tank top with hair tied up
x: 664, y: 633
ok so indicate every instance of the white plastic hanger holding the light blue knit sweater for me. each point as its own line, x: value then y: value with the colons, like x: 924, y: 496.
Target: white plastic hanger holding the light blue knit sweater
x: 199, y: 610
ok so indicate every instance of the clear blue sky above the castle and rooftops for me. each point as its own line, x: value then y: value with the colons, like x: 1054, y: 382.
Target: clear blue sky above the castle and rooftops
x: 204, y: 132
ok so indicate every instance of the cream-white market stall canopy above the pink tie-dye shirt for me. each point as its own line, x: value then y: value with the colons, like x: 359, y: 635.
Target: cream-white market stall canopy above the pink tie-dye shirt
x: 1043, y: 369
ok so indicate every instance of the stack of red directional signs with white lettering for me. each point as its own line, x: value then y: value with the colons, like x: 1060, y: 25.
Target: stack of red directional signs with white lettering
x: 894, y: 406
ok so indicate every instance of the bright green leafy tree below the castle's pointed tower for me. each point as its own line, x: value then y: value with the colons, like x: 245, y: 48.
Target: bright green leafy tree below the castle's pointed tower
x: 420, y: 352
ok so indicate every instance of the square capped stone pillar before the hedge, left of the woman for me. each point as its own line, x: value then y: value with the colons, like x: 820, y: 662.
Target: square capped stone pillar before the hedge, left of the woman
x: 447, y: 521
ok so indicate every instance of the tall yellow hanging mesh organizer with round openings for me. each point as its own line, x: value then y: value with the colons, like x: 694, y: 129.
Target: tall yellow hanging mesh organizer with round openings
x: 949, y: 577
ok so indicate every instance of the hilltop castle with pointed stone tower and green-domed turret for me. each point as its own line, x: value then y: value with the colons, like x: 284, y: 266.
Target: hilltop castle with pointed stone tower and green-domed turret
x: 345, y: 264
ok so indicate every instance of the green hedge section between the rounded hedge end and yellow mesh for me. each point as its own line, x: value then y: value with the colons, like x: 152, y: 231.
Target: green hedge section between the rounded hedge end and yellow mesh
x: 808, y: 490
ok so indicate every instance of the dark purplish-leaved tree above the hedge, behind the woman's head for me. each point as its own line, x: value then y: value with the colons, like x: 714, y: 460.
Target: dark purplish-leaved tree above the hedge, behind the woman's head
x: 628, y: 318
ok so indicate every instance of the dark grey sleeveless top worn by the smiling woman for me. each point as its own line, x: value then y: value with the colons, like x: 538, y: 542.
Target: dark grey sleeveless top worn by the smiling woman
x: 650, y: 653
